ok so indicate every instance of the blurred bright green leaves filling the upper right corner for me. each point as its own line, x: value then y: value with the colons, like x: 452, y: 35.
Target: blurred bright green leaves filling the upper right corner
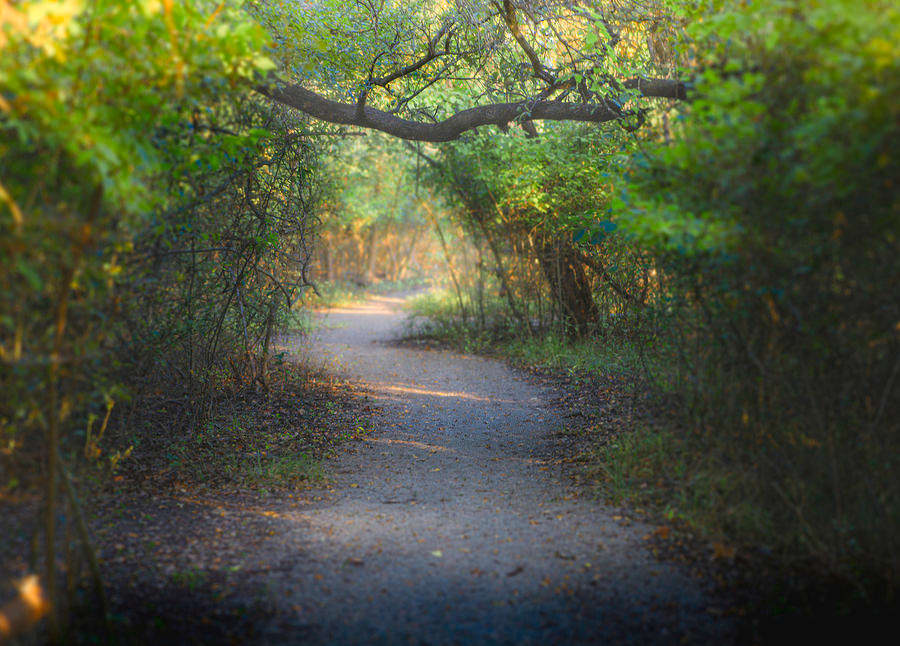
x: 756, y: 147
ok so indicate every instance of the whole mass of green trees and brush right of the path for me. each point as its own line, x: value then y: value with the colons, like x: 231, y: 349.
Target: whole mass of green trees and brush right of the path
x: 745, y: 244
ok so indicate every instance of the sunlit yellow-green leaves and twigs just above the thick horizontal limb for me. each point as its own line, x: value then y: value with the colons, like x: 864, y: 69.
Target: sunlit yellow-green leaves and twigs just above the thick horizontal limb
x: 436, y: 58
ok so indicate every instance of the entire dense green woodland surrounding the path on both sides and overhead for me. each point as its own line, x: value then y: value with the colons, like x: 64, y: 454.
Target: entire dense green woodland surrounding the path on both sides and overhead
x: 697, y: 197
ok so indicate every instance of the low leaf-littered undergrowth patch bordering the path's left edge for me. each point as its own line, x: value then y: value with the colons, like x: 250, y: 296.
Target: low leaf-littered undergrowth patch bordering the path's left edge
x: 256, y: 439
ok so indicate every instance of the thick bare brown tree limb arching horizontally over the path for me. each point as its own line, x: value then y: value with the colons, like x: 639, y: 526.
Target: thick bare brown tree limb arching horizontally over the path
x: 498, y: 114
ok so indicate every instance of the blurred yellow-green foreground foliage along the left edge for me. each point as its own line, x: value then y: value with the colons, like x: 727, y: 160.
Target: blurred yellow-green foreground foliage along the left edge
x: 88, y: 93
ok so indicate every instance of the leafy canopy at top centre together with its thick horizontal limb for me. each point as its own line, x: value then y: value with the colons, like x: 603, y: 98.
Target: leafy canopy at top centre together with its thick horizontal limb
x: 431, y: 71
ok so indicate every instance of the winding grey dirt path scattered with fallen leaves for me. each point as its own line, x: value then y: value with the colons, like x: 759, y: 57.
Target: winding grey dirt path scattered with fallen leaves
x: 447, y: 527
